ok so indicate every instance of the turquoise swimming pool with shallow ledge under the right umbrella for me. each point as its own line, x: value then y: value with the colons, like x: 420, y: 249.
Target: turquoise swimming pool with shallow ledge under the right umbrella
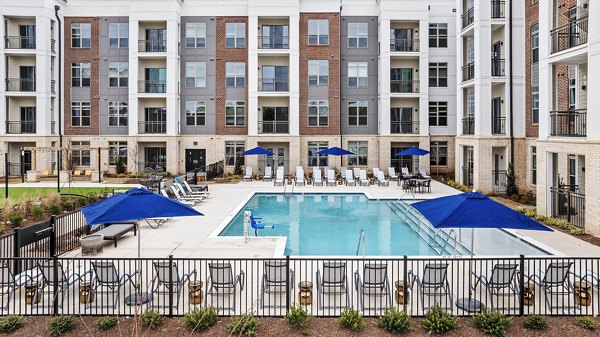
x: 330, y: 224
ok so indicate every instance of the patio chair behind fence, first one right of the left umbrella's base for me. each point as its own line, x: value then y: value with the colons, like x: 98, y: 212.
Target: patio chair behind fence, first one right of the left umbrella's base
x: 162, y: 287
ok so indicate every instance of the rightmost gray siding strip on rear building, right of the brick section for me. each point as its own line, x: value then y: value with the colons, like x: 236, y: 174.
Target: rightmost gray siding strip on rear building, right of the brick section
x: 369, y: 94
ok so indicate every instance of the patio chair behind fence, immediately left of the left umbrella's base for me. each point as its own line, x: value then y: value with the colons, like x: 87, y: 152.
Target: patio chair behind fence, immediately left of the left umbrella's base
x: 107, y: 280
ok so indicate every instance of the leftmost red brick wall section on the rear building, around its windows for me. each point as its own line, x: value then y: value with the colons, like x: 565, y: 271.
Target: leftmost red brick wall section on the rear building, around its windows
x: 83, y: 55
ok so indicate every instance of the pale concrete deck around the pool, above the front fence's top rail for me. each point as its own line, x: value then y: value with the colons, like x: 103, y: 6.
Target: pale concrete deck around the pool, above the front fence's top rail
x: 191, y: 237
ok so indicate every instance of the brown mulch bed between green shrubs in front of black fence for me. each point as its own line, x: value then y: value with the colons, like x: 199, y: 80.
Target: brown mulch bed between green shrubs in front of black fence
x: 38, y: 326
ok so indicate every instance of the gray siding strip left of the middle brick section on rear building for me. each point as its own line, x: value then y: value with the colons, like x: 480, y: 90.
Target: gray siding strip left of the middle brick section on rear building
x: 207, y: 95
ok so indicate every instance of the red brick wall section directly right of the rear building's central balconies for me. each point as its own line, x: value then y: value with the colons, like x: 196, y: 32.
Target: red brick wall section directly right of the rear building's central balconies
x: 330, y: 52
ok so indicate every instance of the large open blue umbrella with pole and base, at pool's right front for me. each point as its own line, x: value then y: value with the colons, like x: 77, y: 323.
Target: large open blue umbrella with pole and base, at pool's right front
x: 473, y: 210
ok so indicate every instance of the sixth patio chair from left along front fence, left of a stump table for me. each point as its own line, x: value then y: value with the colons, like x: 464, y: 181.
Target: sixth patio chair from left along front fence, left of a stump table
x: 275, y: 280
